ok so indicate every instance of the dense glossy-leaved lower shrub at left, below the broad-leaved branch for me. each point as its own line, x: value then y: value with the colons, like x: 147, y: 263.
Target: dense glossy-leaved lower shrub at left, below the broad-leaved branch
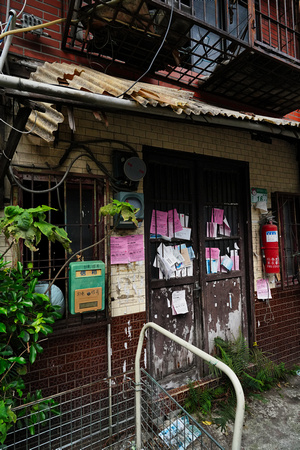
x: 25, y: 317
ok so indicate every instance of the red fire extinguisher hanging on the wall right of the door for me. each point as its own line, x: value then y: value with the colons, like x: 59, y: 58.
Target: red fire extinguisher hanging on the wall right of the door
x: 270, y: 248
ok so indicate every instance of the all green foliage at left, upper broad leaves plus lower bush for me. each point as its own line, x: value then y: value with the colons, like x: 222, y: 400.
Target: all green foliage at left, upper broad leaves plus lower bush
x: 25, y: 316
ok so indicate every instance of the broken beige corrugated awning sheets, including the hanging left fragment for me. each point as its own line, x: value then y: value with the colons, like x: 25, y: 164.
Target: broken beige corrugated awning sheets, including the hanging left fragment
x: 145, y: 94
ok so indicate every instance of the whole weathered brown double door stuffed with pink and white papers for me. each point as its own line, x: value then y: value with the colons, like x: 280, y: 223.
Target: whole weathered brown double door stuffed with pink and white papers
x: 201, y: 192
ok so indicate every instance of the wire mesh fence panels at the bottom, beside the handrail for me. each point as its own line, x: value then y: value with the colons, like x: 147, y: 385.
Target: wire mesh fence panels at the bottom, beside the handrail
x: 101, y: 415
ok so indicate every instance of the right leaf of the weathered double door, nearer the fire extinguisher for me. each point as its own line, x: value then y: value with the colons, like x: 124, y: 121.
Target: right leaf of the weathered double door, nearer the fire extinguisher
x: 225, y: 249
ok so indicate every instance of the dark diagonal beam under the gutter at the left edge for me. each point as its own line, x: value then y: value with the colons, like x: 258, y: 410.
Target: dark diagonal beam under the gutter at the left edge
x: 13, y: 140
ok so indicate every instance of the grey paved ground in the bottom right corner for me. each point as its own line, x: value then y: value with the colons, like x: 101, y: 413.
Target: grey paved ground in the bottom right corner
x: 270, y: 425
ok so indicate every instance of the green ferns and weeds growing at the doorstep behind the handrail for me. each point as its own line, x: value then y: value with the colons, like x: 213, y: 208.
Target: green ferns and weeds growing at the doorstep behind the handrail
x: 256, y: 372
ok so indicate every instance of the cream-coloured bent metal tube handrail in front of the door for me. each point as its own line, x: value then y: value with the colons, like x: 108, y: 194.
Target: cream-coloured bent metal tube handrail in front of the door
x: 240, y: 408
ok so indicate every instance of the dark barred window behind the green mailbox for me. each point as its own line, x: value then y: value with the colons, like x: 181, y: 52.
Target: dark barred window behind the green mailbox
x: 76, y: 205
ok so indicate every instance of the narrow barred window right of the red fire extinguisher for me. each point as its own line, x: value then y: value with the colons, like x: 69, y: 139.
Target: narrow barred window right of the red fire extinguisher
x: 287, y: 207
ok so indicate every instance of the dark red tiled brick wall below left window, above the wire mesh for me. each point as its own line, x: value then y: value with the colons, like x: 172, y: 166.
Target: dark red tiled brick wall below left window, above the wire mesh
x: 74, y: 358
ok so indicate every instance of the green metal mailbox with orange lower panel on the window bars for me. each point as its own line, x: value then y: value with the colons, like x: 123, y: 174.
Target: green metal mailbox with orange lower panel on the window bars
x: 86, y: 286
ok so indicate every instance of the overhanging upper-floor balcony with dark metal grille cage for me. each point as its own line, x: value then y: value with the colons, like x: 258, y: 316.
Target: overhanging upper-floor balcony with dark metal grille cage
x: 197, y: 43
